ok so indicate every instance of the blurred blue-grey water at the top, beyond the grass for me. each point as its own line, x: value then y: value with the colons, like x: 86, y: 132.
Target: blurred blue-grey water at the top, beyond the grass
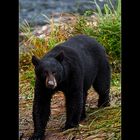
x: 32, y: 10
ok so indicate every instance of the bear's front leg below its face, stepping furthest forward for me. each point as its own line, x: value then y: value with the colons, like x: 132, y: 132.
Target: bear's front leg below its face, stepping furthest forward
x: 41, y: 111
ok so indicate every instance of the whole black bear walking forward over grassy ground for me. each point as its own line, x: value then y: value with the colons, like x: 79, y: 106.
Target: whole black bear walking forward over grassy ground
x: 72, y: 67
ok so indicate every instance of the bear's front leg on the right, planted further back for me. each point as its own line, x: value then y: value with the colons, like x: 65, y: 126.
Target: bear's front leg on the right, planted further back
x: 74, y: 105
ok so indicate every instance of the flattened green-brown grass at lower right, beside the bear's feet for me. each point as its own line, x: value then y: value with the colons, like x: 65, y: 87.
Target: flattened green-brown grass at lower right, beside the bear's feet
x: 100, y: 123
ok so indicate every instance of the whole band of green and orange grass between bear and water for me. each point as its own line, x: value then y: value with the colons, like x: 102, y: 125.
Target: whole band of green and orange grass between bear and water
x: 105, y: 26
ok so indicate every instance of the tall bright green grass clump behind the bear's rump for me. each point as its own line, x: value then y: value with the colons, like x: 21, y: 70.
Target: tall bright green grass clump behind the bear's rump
x: 107, y: 31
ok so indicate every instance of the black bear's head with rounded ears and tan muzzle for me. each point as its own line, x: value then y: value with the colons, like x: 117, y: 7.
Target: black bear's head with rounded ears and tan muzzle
x: 49, y: 70
